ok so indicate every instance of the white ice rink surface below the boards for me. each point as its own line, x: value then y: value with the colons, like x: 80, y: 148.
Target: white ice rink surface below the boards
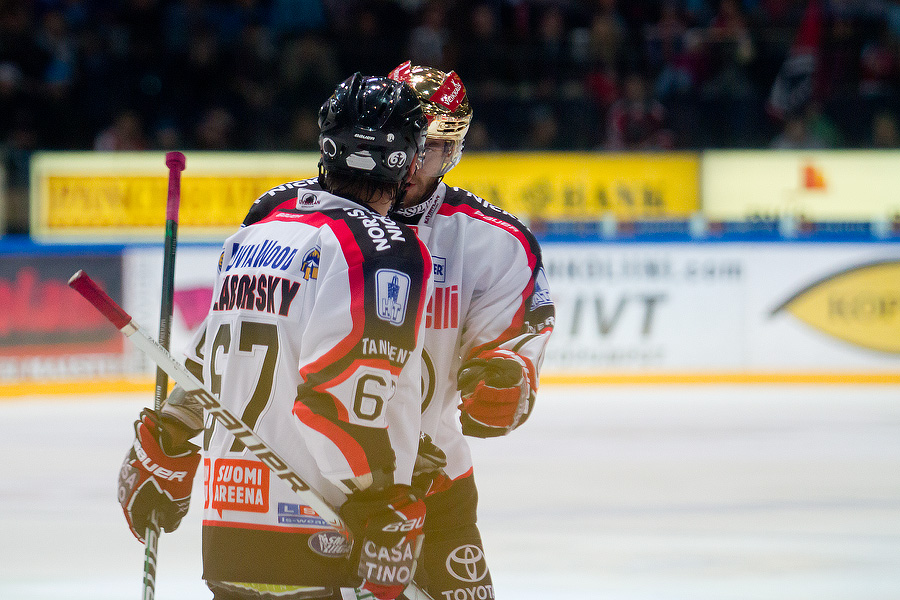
x: 660, y: 492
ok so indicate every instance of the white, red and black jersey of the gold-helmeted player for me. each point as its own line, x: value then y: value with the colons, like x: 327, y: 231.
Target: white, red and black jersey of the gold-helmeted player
x: 490, y: 292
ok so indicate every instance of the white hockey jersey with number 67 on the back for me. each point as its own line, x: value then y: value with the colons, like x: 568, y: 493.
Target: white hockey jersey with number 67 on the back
x: 314, y: 338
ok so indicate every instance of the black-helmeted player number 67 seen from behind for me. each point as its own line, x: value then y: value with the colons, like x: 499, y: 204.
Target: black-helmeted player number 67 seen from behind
x: 315, y: 338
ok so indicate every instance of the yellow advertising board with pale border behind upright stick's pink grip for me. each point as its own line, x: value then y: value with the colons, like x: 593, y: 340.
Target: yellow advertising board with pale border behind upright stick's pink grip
x: 83, y: 197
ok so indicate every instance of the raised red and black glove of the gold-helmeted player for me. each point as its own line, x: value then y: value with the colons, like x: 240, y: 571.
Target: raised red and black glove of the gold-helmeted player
x: 497, y: 388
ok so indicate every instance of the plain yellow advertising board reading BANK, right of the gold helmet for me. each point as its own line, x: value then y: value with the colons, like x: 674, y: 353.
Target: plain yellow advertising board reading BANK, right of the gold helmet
x: 584, y: 186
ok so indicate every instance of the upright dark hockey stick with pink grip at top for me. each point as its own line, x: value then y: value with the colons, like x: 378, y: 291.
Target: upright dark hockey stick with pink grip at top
x: 175, y: 161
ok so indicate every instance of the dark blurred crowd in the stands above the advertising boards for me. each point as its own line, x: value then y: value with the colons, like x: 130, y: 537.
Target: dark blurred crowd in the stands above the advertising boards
x: 541, y: 74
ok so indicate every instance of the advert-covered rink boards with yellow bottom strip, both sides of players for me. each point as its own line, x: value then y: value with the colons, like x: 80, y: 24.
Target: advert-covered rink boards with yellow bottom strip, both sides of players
x: 688, y: 312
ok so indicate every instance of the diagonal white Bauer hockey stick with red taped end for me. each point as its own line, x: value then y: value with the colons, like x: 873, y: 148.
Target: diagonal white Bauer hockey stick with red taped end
x: 116, y: 315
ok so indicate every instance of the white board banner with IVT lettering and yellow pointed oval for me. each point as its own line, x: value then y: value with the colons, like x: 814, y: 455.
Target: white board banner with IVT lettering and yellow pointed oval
x: 725, y: 309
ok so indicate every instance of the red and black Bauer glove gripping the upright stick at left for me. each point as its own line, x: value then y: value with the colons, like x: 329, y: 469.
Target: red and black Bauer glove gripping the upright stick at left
x: 156, y: 477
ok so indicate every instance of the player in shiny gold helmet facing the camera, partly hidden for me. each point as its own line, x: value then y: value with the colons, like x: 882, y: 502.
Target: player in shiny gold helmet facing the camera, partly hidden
x: 486, y: 331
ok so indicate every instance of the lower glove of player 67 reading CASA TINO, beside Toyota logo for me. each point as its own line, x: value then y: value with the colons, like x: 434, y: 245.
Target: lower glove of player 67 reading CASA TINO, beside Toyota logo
x: 387, y: 530
